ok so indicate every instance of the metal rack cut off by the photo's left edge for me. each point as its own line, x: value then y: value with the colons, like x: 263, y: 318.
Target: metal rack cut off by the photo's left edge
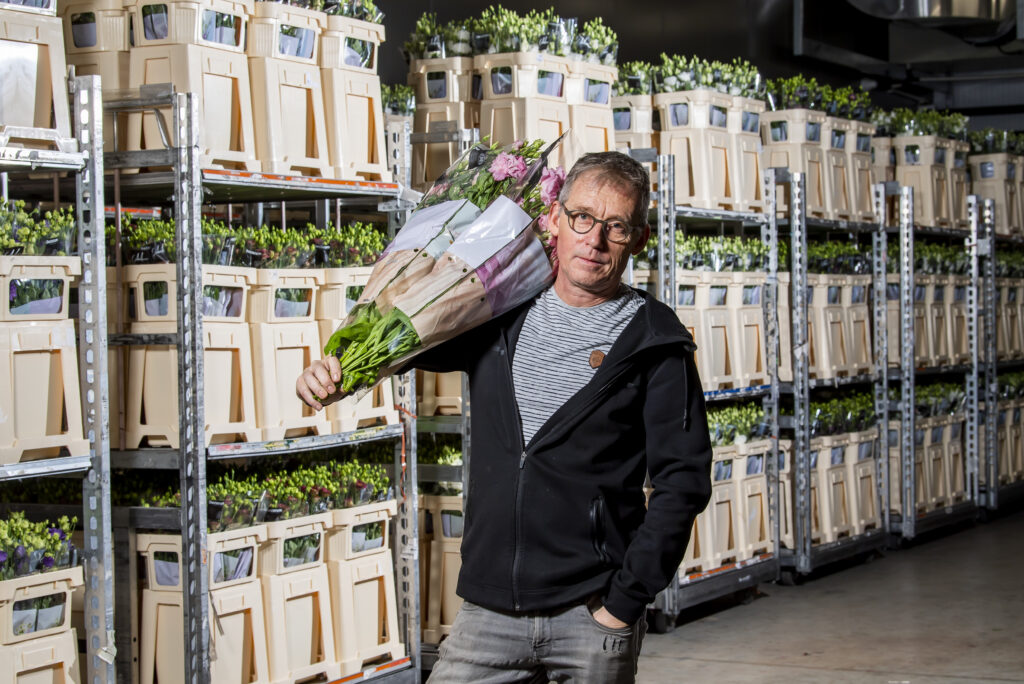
x: 88, y: 166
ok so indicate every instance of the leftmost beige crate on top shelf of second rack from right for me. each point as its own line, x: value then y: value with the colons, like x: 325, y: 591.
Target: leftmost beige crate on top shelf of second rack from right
x: 921, y: 163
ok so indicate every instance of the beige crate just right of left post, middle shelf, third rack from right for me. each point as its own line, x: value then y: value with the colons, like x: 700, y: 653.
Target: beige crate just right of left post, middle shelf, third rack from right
x: 827, y: 326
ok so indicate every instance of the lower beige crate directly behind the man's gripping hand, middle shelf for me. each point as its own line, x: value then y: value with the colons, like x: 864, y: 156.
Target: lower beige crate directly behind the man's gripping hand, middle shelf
x: 281, y: 353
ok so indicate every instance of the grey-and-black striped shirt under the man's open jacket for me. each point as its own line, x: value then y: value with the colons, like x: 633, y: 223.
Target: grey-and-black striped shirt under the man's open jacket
x: 552, y: 360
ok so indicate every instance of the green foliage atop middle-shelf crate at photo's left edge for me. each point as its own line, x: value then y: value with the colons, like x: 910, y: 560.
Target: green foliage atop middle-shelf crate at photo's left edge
x: 30, y: 233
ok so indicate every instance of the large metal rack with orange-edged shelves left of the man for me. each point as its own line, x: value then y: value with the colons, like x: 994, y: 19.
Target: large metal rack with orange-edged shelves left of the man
x: 190, y: 188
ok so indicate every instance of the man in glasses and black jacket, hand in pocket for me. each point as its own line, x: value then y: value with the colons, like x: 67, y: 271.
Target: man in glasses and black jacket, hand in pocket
x: 577, y: 396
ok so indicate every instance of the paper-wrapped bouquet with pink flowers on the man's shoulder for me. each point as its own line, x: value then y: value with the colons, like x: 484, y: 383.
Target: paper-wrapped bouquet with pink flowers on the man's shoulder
x: 471, y: 252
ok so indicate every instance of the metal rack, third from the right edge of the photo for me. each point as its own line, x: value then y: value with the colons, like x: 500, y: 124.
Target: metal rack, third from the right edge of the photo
x: 805, y: 558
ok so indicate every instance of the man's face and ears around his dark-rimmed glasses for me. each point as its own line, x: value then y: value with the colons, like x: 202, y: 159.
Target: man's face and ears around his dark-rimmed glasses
x: 590, y: 266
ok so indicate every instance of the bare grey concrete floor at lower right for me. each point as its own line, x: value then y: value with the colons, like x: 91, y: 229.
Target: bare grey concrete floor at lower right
x: 949, y: 611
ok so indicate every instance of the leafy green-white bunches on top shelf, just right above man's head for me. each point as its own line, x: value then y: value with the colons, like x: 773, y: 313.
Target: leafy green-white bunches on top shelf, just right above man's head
x: 739, y: 77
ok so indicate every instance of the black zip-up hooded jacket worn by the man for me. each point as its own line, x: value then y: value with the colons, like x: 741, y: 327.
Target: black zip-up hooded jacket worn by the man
x: 554, y: 522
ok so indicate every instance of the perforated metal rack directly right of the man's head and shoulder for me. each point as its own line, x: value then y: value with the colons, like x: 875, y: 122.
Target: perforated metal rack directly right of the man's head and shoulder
x: 734, y: 578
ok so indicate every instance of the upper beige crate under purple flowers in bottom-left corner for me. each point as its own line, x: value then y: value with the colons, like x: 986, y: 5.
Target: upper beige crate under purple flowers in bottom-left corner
x: 32, y: 587
